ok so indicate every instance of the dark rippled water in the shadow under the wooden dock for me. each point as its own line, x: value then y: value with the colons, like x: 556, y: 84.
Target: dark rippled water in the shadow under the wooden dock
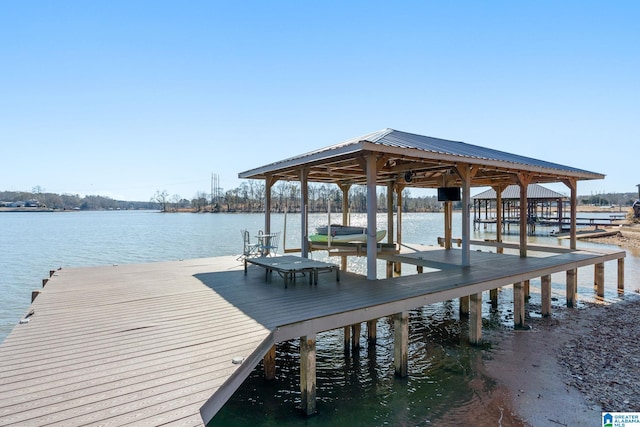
x: 446, y: 385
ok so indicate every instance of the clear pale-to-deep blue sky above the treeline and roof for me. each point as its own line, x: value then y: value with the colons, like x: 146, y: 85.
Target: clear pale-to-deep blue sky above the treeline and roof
x: 126, y: 98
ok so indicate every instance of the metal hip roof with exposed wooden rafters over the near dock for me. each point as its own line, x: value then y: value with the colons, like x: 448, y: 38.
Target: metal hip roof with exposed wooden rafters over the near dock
x: 430, y: 161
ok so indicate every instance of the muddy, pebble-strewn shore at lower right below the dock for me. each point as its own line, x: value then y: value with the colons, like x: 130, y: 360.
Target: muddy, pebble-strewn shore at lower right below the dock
x: 569, y: 368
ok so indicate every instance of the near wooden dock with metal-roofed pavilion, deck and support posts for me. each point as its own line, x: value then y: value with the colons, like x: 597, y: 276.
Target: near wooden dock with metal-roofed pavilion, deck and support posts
x: 169, y: 343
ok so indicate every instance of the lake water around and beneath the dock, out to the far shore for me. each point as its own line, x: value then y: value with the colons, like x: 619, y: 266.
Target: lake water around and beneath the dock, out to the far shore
x: 354, y: 389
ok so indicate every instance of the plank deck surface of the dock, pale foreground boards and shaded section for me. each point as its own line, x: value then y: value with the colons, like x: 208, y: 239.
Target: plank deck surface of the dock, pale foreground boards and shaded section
x: 152, y: 344
